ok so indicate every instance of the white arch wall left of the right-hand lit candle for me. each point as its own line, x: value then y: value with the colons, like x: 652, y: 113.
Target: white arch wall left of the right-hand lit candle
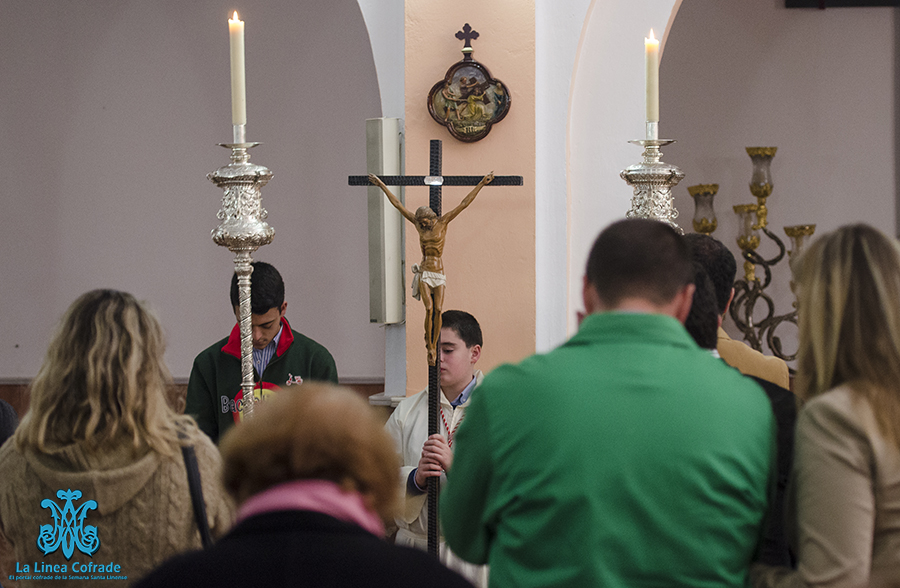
x: 607, y: 111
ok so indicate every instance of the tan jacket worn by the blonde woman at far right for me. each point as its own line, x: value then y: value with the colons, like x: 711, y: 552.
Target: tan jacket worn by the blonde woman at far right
x: 844, y: 501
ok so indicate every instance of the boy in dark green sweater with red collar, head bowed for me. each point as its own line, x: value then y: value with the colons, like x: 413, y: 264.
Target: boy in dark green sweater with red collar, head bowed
x: 282, y: 357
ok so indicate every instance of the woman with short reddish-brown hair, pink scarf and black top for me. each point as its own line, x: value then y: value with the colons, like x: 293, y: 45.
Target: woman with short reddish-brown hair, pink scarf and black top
x: 315, y: 476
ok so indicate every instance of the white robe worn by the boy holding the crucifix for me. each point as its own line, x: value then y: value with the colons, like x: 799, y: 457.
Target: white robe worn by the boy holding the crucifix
x: 408, y: 426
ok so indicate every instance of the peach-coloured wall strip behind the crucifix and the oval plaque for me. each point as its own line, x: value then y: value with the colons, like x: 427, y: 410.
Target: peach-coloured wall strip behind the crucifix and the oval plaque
x: 489, y: 253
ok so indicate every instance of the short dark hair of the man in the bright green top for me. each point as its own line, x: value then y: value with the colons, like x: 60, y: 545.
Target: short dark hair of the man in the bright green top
x: 639, y: 258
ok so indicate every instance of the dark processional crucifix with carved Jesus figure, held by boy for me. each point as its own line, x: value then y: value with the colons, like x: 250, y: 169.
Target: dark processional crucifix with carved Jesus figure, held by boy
x: 429, y: 279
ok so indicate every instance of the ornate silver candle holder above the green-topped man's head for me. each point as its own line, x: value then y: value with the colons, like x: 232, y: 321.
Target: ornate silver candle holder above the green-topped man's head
x: 653, y: 181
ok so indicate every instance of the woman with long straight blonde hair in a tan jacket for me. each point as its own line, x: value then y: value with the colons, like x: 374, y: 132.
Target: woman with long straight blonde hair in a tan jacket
x: 844, y: 498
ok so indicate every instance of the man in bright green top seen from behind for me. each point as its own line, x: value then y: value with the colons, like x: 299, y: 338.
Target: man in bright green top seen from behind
x: 626, y: 457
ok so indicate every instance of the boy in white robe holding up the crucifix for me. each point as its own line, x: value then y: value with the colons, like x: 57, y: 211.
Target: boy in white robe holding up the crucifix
x: 423, y: 456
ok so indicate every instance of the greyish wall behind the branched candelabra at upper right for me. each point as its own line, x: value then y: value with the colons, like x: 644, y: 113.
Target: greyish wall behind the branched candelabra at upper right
x: 819, y: 85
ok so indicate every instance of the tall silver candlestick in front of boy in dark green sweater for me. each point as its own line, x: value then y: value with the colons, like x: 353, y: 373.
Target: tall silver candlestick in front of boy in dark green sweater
x: 243, y: 231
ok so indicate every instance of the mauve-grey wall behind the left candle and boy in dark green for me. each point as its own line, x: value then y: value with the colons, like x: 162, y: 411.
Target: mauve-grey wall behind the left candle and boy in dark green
x: 110, y: 112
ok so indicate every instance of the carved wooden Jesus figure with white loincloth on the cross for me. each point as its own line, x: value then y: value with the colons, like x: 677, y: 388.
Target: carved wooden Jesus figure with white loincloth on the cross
x: 428, y: 277
